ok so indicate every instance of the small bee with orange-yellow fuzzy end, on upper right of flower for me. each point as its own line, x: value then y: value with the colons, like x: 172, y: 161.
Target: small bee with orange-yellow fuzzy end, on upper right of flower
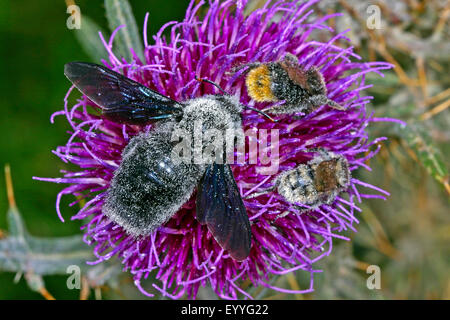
x: 302, y: 90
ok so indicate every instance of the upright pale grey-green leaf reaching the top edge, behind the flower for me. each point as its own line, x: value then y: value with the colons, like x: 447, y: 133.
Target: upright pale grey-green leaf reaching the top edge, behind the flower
x: 118, y: 12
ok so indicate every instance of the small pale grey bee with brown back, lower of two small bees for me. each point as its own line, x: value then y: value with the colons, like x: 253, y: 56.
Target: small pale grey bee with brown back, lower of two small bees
x: 314, y: 183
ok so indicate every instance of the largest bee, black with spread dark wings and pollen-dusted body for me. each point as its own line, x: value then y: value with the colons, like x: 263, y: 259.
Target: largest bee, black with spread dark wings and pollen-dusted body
x: 149, y: 187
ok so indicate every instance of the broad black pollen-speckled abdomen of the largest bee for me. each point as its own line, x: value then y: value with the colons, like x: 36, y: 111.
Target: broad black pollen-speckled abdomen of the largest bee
x: 148, y: 187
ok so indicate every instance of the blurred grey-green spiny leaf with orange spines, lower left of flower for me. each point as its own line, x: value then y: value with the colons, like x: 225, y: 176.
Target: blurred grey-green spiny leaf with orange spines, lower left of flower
x: 36, y: 257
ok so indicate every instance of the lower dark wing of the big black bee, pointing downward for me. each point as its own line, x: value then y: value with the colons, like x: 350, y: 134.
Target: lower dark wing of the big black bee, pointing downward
x: 220, y: 207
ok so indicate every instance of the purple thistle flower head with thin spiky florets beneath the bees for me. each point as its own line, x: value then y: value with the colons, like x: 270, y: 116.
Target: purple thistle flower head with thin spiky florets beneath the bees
x: 182, y: 253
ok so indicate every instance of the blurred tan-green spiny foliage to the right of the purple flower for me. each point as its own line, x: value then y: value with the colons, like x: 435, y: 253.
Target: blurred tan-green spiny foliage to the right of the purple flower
x: 407, y: 235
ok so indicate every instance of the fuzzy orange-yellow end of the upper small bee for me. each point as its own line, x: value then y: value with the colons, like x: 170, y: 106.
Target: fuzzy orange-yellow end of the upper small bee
x: 258, y: 82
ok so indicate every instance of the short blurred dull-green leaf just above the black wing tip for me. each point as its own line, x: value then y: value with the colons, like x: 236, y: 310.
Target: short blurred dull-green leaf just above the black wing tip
x: 89, y: 39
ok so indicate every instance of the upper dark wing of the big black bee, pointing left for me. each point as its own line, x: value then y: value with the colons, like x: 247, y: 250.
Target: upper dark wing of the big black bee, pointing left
x: 122, y: 99
